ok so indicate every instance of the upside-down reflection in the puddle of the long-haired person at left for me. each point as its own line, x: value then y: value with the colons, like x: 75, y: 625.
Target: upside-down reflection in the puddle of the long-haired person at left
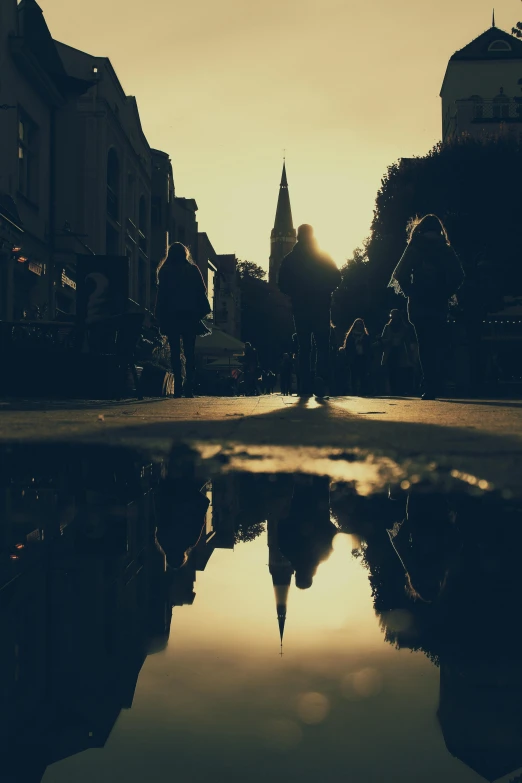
x: 182, y: 510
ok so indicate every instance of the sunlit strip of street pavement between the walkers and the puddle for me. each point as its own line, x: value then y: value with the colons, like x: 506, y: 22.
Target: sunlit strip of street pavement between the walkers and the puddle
x: 368, y: 440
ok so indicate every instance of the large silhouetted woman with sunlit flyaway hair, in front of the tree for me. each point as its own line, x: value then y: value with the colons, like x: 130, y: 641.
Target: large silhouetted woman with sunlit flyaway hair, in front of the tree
x: 429, y: 274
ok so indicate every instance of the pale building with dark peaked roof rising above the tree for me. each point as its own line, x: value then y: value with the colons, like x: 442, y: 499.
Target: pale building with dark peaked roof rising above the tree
x: 482, y: 88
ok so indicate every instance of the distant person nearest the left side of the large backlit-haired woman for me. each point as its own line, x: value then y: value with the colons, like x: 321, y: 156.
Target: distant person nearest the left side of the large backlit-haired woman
x: 398, y: 355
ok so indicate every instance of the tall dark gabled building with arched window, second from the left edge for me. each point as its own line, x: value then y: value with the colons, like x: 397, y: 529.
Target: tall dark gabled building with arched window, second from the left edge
x: 104, y: 172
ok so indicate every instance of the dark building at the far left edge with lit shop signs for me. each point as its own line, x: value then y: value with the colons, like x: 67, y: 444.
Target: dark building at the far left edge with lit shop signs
x: 35, y: 93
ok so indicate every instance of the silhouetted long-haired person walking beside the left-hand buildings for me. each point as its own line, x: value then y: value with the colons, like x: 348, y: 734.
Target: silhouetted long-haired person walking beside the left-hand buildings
x: 181, y: 304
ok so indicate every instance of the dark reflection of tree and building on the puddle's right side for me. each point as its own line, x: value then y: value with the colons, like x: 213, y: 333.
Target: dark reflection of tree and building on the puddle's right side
x: 452, y: 588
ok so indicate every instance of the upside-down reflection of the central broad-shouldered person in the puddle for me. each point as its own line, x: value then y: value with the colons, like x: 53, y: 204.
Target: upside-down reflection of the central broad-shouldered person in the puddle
x: 306, y: 534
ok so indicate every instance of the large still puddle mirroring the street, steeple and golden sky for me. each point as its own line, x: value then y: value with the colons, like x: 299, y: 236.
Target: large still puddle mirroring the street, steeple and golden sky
x: 131, y: 584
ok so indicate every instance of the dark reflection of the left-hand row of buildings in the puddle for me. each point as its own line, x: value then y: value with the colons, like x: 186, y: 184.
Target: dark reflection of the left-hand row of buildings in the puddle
x: 78, y: 606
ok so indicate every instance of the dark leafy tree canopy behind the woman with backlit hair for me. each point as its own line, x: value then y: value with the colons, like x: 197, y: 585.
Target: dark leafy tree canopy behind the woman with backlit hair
x: 473, y: 185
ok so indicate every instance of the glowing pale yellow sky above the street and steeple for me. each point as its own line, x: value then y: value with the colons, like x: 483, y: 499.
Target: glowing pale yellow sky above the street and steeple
x: 224, y: 86
